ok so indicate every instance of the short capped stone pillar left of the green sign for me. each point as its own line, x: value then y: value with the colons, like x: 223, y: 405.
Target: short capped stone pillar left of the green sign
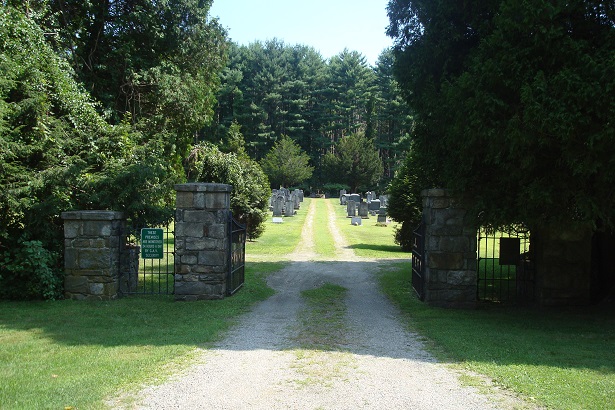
x: 92, y: 254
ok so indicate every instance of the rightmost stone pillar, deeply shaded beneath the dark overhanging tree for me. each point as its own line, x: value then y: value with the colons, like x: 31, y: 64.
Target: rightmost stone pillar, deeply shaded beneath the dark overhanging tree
x: 563, y: 257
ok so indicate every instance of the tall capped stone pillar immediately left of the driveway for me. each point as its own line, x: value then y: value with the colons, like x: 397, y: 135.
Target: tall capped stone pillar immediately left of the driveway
x: 201, y: 241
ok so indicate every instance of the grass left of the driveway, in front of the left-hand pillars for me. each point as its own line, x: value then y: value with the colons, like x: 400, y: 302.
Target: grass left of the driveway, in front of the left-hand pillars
x: 68, y: 353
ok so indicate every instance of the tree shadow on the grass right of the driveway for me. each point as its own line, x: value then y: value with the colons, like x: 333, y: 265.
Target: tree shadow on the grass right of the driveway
x: 563, y: 338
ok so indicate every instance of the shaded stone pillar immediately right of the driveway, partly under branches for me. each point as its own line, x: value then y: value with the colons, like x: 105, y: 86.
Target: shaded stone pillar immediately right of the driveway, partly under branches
x: 450, y: 252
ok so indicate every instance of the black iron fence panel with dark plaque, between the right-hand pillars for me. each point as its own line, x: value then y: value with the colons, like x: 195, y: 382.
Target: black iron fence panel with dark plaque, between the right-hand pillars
x: 505, y: 268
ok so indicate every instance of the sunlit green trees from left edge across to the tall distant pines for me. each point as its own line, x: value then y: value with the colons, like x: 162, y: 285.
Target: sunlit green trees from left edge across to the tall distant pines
x: 106, y: 105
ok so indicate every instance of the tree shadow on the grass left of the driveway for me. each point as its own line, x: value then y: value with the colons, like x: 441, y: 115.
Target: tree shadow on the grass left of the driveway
x: 135, y: 320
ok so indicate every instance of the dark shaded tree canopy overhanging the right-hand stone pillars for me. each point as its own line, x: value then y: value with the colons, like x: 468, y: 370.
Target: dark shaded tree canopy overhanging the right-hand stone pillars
x: 514, y: 104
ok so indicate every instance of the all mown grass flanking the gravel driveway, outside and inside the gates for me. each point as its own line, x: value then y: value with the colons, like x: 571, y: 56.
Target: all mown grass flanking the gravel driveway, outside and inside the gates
x: 77, y: 354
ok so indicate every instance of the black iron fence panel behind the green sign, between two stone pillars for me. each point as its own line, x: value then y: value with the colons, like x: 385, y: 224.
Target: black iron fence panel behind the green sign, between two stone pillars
x: 141, y: 276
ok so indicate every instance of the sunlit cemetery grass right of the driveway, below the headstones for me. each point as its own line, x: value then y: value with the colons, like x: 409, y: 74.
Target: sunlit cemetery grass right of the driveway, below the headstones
x: 368, y: 240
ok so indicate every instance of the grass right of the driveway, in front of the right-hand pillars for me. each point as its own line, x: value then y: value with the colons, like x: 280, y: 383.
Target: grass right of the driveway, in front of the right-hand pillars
x: 561, y: 359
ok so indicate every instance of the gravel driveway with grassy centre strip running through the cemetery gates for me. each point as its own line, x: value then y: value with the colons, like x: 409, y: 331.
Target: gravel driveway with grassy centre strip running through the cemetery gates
x: 381, y: 366
